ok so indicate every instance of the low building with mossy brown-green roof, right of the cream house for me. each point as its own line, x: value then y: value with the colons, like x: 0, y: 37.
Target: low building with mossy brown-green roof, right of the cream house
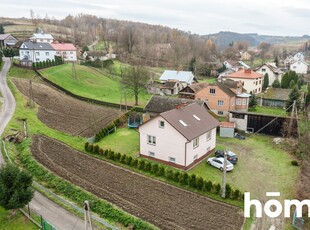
x: 274, y: 97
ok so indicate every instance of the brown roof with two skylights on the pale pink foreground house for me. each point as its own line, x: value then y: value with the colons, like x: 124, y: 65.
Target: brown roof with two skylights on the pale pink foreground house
x: 194, y: 127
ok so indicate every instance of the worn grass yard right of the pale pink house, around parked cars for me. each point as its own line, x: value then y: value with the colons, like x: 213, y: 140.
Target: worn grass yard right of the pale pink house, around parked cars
x: 262, y: 167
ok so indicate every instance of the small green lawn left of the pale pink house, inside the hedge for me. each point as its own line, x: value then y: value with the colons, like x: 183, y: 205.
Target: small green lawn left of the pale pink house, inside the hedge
x: 124, y: 140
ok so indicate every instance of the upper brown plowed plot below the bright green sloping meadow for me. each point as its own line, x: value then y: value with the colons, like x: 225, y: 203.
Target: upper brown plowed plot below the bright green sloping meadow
x: 65, y: 113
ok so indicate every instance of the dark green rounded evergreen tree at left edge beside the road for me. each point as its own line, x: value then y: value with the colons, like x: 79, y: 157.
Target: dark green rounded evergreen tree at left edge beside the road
x: 15, y: 187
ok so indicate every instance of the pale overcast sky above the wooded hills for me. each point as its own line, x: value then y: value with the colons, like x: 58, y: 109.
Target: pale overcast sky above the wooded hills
x: 269, y: 17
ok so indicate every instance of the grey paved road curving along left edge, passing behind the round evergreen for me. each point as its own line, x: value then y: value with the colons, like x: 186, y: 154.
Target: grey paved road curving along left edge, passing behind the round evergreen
x: 52, y: 212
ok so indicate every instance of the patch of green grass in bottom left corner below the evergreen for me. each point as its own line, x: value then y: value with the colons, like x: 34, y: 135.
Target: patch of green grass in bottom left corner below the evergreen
x: 18, y: 222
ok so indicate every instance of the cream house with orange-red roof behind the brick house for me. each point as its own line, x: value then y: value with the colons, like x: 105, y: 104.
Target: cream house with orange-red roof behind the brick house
x: 252, y: 81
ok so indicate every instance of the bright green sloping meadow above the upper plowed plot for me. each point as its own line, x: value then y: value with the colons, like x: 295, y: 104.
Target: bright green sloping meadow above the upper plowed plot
x: 90, y: 83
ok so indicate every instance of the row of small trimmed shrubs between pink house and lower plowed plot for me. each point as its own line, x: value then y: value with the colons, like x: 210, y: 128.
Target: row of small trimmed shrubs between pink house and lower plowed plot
x: 181, y: 178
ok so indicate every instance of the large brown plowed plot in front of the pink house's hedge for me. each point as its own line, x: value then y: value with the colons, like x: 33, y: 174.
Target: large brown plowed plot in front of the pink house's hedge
x: 163, y: 205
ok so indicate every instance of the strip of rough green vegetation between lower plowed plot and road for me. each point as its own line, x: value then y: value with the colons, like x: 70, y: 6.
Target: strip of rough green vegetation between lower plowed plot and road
x: 74, y: 193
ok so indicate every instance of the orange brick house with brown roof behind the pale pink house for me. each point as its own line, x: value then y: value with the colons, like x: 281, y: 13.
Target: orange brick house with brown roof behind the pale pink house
x: 221, y: 97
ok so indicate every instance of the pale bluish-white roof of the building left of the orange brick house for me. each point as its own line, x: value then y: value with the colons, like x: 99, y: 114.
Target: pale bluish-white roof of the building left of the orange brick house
x: 184, y: 77
